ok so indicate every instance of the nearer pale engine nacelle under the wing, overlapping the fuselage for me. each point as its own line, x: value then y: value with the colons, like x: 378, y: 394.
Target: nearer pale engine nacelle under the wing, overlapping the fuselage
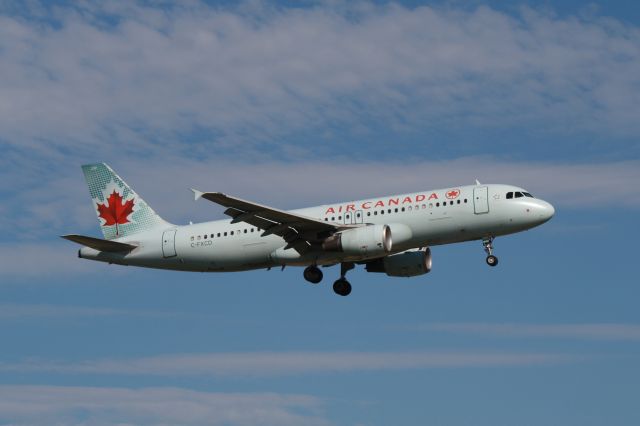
x: 370, y: 240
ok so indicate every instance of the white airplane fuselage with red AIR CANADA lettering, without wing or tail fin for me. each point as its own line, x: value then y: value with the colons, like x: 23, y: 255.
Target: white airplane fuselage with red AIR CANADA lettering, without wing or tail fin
x: 416, y: 220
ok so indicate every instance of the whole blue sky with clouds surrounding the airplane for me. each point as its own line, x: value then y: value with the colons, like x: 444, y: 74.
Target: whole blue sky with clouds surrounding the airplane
x: 293, y: 104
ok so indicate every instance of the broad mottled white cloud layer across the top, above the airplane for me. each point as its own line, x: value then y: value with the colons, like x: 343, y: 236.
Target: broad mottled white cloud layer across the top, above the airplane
x: 255, y: 72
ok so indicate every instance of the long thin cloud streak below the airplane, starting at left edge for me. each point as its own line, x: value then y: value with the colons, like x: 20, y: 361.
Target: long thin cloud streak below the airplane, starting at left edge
x: 288, y: 363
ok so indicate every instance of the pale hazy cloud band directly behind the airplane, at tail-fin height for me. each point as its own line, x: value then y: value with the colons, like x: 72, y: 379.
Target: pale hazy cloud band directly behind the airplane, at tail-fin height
x: 61, y: 205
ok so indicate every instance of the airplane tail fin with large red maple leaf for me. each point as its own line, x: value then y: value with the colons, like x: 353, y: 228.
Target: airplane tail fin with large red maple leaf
x: 120, y: 210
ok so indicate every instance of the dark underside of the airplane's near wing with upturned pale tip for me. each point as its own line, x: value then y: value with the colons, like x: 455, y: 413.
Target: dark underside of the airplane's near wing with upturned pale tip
x: 300, y: 232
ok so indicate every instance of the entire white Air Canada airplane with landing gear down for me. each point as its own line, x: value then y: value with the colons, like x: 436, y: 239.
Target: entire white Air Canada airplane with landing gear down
x: 390, y: 234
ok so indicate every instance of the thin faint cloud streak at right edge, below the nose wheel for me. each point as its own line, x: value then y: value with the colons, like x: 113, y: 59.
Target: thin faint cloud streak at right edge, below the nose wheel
x: 593, y: 331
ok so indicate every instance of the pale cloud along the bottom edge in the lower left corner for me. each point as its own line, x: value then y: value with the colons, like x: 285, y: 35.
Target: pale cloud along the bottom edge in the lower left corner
x: 93, y: 406
